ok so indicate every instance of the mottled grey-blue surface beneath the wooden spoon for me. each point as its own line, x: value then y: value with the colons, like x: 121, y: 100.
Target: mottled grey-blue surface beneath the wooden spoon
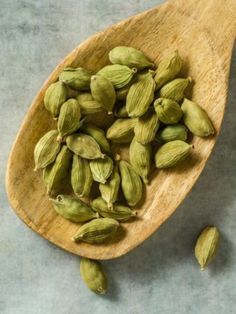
x: 161, y: 276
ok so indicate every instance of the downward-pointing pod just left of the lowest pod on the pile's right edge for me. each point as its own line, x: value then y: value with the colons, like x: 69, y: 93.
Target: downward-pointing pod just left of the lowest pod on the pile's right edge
x: 140, y: 157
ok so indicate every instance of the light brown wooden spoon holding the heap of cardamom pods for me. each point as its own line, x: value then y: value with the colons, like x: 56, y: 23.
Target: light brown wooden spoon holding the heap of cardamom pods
x: 204, y: 33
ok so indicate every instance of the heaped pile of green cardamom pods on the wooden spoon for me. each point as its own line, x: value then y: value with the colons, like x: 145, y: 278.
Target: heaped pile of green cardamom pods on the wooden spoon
x: 150, y: 113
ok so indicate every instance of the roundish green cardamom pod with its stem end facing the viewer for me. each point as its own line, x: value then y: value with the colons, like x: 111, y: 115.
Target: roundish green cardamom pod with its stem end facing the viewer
x: 168, y: 111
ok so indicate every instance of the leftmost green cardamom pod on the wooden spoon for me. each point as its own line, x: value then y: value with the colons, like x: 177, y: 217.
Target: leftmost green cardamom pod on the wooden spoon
x: 46, y: 149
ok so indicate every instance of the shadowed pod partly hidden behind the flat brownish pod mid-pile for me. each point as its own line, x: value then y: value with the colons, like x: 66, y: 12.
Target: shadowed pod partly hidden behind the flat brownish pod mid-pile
x: 99, y: 136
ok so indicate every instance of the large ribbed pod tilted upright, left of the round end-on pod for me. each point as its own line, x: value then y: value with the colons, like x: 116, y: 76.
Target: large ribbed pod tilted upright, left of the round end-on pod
x: 140, y: 95
